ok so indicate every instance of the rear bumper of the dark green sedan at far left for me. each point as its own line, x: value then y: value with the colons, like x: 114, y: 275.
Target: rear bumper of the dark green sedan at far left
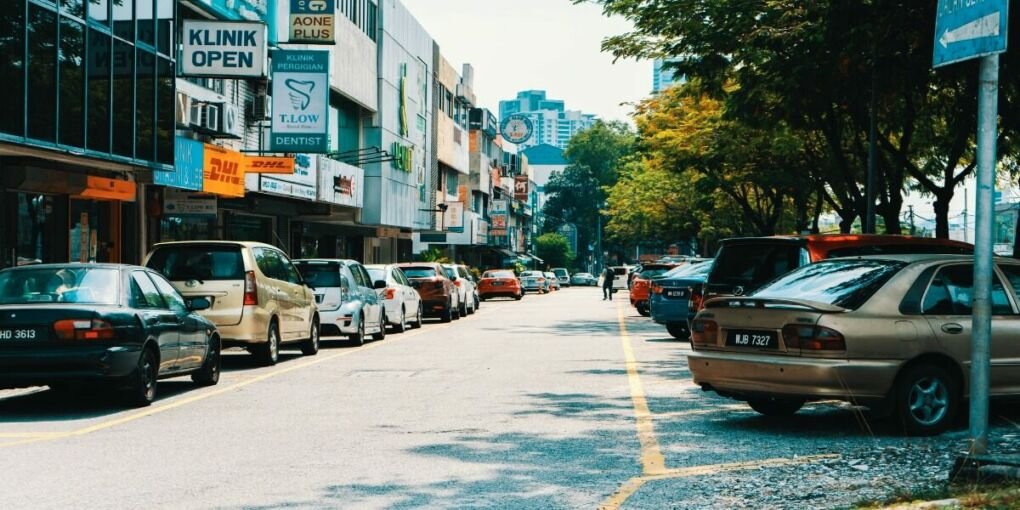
x: 38, y: 367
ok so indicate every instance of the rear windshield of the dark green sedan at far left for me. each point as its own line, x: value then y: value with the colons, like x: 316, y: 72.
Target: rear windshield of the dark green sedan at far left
x: 84, y: 286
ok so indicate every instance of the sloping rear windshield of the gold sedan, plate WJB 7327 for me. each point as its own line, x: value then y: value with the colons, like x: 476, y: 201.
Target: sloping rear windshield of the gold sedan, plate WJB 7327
x: 848, y: 284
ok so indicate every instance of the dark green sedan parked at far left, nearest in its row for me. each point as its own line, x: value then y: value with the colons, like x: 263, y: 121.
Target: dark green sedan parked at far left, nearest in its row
x: 68, y: 325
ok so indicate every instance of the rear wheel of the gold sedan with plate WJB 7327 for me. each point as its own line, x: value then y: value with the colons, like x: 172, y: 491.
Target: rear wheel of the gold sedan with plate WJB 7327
x: 928, y: 400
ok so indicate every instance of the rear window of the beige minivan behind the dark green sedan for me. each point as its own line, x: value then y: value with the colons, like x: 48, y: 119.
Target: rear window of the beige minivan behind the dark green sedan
x: 198, y: 263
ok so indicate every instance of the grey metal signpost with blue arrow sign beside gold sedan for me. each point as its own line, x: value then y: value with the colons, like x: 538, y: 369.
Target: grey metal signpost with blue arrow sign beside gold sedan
x: 966, y: 30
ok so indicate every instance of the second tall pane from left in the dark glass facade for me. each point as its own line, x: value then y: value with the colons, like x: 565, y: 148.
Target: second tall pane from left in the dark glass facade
x: 42, y: 80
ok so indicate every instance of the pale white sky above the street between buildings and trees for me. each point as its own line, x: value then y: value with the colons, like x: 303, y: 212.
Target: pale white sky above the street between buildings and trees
x: 517, y: 45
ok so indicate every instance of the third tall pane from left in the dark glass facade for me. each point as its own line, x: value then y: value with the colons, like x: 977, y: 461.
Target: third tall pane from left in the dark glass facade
x: 72, y: 83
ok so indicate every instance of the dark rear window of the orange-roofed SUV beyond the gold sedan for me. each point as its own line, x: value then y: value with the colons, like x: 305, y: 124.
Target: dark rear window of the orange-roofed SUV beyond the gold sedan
x: 753, y: 265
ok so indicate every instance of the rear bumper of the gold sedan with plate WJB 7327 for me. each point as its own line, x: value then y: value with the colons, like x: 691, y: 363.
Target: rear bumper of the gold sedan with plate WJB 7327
x: 745, y: 376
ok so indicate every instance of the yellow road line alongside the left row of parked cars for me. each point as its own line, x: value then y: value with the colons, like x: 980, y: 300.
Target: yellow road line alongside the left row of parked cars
x: 176, y: 404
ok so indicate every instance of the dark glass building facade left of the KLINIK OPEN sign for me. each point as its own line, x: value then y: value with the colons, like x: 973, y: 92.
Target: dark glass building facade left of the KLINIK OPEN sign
x: 91, y: 75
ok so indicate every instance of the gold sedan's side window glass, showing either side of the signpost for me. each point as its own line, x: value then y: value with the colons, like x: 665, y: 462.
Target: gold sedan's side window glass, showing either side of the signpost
x: 952, y: 293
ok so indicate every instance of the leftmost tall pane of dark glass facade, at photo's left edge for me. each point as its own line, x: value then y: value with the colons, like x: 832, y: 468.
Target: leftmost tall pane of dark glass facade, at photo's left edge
x: 13, y: 68
